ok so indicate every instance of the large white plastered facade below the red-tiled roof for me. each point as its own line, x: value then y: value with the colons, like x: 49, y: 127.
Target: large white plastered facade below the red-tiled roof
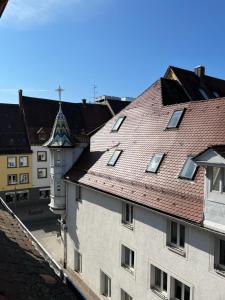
x: 95, y: 229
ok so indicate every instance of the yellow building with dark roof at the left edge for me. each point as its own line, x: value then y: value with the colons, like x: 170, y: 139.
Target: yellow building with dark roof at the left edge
x: 15, y: 156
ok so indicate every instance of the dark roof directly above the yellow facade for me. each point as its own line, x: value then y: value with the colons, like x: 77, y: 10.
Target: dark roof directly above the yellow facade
x: 13, y: 137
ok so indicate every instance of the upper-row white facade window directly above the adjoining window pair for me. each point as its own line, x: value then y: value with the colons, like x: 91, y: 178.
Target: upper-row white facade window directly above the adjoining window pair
x: 176, y: 235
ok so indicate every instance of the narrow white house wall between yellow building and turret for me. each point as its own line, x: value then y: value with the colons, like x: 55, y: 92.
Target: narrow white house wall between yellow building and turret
x: 40, y: 182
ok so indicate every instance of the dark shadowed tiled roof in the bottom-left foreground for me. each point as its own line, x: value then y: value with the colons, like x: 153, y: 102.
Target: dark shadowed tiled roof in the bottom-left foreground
x: 24, y: 274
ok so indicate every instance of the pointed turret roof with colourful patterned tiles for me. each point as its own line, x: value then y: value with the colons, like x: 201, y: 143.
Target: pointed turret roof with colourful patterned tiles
x: 60, y: 137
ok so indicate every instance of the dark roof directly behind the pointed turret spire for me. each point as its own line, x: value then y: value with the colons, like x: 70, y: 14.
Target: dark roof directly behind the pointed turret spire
x: 82, y: 118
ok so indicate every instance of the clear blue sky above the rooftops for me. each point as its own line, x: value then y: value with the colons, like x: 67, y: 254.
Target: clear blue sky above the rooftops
x: 122, y: 45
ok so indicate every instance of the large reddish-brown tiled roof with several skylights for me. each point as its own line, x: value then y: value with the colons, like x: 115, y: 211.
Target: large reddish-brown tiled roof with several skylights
x: 144, y: 133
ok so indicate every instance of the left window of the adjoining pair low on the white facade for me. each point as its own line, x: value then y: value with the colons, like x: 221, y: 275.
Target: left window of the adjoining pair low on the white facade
x: 159, y: 281
